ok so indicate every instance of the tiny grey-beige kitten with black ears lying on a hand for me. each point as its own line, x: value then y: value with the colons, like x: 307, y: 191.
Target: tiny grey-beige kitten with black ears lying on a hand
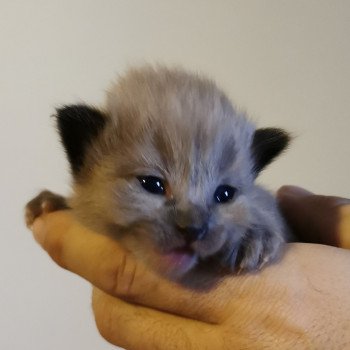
x: 168, y: 169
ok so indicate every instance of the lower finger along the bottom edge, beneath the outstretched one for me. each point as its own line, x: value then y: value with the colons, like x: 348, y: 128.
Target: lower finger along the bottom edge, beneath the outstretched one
x: 136, y: 327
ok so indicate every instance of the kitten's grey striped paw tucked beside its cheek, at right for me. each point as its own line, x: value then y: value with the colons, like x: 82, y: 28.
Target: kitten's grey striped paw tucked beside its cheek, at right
x: 258, y: 250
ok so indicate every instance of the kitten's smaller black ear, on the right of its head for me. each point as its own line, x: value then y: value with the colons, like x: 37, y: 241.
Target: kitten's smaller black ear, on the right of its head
x: 267, y: 144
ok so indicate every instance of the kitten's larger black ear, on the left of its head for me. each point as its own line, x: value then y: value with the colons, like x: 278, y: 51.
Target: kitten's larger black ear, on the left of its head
x: 78, y: 125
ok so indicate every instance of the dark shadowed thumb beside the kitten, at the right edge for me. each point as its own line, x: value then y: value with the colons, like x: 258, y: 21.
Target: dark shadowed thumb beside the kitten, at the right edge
x: 313, y: 218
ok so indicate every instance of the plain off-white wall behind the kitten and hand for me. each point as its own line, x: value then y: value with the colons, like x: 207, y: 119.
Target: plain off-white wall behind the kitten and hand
x: 285, y: 62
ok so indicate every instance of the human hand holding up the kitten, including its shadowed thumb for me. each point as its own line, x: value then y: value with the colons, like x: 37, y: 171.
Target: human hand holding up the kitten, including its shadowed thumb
x: 301, y: 302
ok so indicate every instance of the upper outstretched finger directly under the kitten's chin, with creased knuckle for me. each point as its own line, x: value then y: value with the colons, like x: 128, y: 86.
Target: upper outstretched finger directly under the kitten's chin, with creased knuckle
x: 102, y: 261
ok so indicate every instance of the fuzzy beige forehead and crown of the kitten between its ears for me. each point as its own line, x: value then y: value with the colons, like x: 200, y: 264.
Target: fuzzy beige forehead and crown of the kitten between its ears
x: 178, y: 120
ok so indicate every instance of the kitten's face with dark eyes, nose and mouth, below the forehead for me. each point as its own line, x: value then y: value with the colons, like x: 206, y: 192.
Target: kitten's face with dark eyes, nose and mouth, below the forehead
x: 174, y: 210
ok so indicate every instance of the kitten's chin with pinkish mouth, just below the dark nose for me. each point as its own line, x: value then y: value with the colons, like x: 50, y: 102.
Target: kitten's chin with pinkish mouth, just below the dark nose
x: 177, y: 262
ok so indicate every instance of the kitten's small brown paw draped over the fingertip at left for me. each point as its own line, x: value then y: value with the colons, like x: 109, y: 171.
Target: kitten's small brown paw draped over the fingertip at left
x: 44, y: 202
